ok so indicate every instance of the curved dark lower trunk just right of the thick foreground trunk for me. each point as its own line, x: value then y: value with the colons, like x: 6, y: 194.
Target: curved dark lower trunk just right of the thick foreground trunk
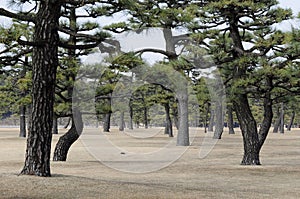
x: 64, y: 143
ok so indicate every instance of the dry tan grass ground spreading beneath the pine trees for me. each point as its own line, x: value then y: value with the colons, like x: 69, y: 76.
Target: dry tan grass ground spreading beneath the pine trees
x: 219, y: 175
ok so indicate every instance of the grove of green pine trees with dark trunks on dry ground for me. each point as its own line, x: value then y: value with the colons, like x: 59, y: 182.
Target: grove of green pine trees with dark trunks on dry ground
x: 258, y: 64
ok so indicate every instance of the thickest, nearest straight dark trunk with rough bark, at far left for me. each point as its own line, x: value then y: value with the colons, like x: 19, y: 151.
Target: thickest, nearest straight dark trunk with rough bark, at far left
x: 45, y: 62
